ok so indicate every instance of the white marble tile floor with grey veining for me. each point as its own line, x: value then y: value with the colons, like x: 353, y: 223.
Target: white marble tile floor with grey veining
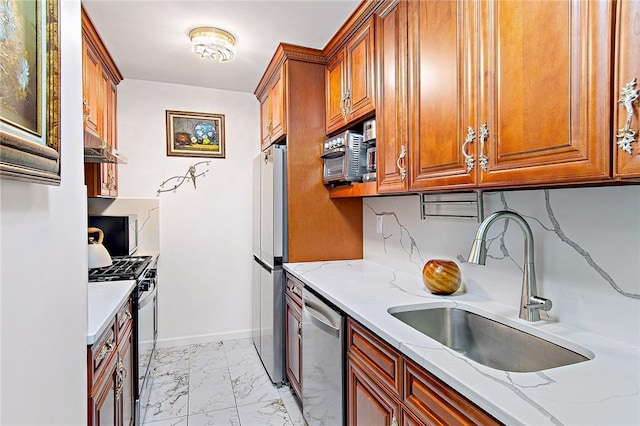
x: 216, y: 383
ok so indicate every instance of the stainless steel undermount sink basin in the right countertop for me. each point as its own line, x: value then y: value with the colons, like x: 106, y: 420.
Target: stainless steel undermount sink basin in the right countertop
x: 488, y: 342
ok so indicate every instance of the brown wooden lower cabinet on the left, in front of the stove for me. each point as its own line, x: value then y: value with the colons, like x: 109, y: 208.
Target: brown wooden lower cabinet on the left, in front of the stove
x: 110, y: 373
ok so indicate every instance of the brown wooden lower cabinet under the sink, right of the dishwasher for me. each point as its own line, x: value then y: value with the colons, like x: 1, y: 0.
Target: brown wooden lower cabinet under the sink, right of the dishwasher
x: 377, y: 394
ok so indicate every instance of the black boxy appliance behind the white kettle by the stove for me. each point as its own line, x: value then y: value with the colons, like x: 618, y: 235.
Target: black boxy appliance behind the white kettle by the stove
x: 120, y: 233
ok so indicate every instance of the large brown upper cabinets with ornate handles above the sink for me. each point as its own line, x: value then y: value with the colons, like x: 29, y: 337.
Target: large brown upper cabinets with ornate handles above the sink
x: 478, y: 94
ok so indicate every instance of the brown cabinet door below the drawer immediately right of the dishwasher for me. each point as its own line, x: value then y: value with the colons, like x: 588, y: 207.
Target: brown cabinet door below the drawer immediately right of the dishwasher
x: 367, y: 403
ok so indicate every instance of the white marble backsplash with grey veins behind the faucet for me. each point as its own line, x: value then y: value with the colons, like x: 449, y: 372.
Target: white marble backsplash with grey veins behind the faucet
x: 587, y: 251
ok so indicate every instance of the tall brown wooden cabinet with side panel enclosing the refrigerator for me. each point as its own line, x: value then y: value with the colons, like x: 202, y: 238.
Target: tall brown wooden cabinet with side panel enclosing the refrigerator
x: 335, y: 228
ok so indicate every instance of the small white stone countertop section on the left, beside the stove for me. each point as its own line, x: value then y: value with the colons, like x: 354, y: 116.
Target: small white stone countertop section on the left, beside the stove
x: 105, y: 299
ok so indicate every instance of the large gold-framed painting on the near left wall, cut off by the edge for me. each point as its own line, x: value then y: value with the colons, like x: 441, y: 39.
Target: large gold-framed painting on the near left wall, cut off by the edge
x: 30, y: 91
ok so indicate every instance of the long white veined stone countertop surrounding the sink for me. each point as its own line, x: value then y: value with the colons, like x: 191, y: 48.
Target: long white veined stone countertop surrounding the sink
x: 604, y: 390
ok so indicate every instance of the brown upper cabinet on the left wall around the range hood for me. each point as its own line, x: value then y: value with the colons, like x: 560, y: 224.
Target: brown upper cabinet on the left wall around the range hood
x: 100, y: 79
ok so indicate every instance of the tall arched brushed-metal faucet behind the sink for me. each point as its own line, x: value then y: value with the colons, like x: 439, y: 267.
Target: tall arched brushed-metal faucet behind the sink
x: 530, y: 303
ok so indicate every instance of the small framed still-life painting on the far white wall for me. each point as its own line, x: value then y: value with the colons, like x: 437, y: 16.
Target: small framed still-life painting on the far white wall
x: 195, y: 134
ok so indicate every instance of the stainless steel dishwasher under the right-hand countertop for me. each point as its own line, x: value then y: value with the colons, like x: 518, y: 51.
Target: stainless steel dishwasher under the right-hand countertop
x: 323, y: 340
